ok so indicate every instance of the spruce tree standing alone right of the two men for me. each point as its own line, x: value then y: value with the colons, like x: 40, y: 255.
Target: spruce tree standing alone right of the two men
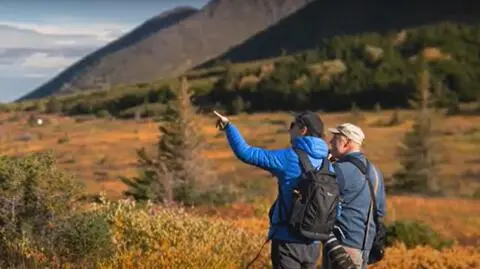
x: 419, y: 152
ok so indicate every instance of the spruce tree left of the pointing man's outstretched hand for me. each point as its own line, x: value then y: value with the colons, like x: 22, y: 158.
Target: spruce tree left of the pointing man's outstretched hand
x: 177, y: 169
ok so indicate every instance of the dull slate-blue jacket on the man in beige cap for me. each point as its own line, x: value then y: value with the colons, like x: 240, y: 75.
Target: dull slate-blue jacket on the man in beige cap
x: 356, y: 195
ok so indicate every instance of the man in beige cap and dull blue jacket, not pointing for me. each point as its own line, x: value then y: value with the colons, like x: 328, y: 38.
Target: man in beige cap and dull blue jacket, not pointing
x: 352, y: 222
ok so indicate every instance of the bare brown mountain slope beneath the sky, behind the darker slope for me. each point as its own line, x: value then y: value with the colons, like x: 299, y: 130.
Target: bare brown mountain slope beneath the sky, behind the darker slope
x: 181, y: 40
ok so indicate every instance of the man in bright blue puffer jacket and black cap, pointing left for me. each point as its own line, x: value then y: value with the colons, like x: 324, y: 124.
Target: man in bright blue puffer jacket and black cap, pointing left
x: 306, y: 133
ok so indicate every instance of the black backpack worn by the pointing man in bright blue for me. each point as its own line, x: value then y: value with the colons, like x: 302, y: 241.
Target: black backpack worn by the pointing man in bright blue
x: 314, y: 201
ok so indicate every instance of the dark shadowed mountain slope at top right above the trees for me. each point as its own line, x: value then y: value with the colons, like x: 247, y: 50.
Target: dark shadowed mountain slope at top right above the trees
x: 324, y: 19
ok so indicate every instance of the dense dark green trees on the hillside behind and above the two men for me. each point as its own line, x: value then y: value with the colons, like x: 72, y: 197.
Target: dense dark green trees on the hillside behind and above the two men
x: 366, y: 70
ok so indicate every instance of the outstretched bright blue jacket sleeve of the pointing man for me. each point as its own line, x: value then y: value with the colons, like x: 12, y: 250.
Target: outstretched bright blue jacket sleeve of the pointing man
x: 271, y: 160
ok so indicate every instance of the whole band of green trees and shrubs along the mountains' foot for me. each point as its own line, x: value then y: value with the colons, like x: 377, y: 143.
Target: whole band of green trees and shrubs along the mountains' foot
x: 359, y: 70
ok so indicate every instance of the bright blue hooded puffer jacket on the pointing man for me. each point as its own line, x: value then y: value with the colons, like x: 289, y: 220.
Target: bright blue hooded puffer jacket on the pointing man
x: 284, y: 164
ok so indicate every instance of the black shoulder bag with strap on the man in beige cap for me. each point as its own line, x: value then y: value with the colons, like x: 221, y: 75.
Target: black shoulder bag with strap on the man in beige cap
x: 378, y: 247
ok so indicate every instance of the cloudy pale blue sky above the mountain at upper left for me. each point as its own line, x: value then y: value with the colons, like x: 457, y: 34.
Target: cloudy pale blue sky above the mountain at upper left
x: 40, y: 38
